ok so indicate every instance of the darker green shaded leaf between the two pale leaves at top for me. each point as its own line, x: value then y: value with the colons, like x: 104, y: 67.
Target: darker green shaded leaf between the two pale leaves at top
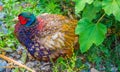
x: 90, y: 12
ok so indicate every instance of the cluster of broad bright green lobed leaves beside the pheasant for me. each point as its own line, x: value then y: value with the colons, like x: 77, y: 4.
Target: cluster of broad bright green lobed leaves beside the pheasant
x: 102, y: 6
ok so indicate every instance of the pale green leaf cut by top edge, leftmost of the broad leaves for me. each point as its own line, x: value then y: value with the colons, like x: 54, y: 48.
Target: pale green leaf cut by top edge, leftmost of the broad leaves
x: 80, y: 4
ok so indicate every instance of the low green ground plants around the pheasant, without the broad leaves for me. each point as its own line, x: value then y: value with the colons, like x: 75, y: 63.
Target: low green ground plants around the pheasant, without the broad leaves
x: 106, y: 54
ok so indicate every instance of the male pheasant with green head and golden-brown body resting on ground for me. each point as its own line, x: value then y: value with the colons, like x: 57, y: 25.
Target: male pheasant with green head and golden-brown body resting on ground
x: 47, y: 36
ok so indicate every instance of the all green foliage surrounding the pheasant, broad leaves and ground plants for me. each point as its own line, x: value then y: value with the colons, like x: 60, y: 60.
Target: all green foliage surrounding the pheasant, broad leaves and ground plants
x: 98, y: 29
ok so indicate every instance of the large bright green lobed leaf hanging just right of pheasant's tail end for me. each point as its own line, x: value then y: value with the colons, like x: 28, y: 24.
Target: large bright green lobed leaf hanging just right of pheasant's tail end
x: 90, y: 34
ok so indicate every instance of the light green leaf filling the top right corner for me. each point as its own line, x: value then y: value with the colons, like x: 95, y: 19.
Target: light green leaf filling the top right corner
x: 112, y: 7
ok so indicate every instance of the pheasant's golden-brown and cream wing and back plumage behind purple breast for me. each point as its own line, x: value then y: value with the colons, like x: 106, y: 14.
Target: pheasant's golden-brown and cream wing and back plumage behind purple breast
x: 57, y: 37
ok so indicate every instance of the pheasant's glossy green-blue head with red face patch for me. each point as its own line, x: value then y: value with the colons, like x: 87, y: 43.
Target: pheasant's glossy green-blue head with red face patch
x: 26, y: 18
